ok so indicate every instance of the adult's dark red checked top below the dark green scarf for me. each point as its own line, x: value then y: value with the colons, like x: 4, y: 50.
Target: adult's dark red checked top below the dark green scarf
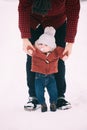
x: 61, y: 10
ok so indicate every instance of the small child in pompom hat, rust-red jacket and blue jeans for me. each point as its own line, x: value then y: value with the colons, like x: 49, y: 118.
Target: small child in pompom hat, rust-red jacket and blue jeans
x: 45, y: 63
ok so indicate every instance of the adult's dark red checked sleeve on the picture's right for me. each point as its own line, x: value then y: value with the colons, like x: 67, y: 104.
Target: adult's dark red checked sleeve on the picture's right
x: 72, y: 13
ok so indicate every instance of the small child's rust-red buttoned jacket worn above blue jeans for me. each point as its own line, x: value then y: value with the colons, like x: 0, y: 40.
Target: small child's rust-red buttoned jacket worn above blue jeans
x: 44, y: 64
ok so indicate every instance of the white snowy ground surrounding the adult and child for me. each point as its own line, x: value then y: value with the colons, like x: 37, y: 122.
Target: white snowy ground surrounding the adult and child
x: 13, y: 89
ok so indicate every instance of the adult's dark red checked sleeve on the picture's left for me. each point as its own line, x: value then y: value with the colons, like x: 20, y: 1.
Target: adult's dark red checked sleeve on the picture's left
x: 24, y: 9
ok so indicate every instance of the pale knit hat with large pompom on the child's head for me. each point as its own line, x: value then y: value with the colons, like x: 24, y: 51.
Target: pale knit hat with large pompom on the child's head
x: 47, y: 37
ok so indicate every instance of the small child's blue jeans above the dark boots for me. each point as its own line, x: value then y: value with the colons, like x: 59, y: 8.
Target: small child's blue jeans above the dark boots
x: 48, y: 81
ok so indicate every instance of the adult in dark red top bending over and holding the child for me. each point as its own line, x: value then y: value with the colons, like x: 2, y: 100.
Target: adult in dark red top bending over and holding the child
x: 34, y: 16
